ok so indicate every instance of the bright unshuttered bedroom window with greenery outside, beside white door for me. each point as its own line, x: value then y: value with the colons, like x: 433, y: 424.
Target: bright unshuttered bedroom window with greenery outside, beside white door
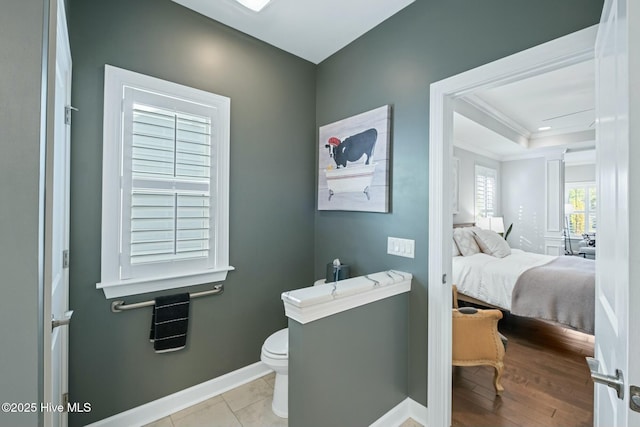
x: 582, y: 196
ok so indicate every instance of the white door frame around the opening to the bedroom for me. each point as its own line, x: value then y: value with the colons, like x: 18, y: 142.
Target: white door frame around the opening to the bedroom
x: 568, y: 50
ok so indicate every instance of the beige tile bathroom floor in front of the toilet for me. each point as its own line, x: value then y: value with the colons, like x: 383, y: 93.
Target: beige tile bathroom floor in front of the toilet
x: 246, y: 406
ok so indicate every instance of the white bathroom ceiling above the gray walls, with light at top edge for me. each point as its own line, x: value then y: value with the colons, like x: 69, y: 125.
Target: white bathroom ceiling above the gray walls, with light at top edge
x: 310, y: 29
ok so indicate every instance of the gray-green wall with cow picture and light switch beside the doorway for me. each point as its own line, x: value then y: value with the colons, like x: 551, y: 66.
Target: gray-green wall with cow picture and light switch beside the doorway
x: 394, y: 64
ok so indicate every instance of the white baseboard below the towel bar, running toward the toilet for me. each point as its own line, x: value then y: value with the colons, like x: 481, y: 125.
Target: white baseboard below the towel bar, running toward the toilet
x: 167, y: 405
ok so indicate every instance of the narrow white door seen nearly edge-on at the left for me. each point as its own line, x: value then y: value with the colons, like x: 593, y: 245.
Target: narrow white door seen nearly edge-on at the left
x: 57, y: 232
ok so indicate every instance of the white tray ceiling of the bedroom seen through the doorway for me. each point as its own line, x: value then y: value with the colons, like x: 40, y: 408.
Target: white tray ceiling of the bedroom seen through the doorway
x: 505, y: 122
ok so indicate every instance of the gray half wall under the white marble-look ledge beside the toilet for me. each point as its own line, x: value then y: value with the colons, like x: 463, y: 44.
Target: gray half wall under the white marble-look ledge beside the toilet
x: 348, y: 369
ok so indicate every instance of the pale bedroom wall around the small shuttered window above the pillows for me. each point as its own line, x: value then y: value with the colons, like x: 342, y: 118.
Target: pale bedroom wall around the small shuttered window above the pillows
x: 466, y: 183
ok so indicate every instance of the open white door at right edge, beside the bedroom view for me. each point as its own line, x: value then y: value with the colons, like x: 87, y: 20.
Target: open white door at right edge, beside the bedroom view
x: 616, y: 334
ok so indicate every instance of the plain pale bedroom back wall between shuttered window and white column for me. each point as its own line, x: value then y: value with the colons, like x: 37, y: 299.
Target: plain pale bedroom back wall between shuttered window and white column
x: 524, y: 202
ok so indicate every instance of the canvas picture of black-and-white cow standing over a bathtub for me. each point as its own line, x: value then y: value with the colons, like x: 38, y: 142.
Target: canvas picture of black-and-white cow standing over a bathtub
x: 353, y: 166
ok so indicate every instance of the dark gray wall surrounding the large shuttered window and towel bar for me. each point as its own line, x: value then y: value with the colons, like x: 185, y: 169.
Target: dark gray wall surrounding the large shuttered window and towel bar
x: 271, y: 205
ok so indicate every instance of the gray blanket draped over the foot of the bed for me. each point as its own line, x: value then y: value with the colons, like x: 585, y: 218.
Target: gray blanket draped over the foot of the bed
x: 562, y: 291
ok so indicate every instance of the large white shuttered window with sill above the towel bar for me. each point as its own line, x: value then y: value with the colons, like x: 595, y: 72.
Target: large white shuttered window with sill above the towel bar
x: 165, y: 185
